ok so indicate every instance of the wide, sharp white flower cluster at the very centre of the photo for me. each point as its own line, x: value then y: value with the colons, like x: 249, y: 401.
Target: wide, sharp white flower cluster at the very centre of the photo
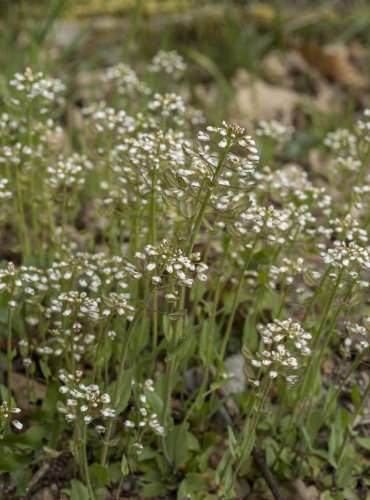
x: 167, y: 262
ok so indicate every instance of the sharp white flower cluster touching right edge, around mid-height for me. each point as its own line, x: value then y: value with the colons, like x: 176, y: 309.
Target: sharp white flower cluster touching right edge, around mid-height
x: 347, y: 256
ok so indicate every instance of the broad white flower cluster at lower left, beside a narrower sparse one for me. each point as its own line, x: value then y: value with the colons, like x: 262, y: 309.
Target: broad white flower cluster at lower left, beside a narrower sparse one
x: 85, y: 403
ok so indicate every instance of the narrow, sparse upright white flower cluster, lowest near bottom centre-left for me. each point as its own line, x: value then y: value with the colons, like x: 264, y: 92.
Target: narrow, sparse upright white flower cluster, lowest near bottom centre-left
x: 145, y: 419
